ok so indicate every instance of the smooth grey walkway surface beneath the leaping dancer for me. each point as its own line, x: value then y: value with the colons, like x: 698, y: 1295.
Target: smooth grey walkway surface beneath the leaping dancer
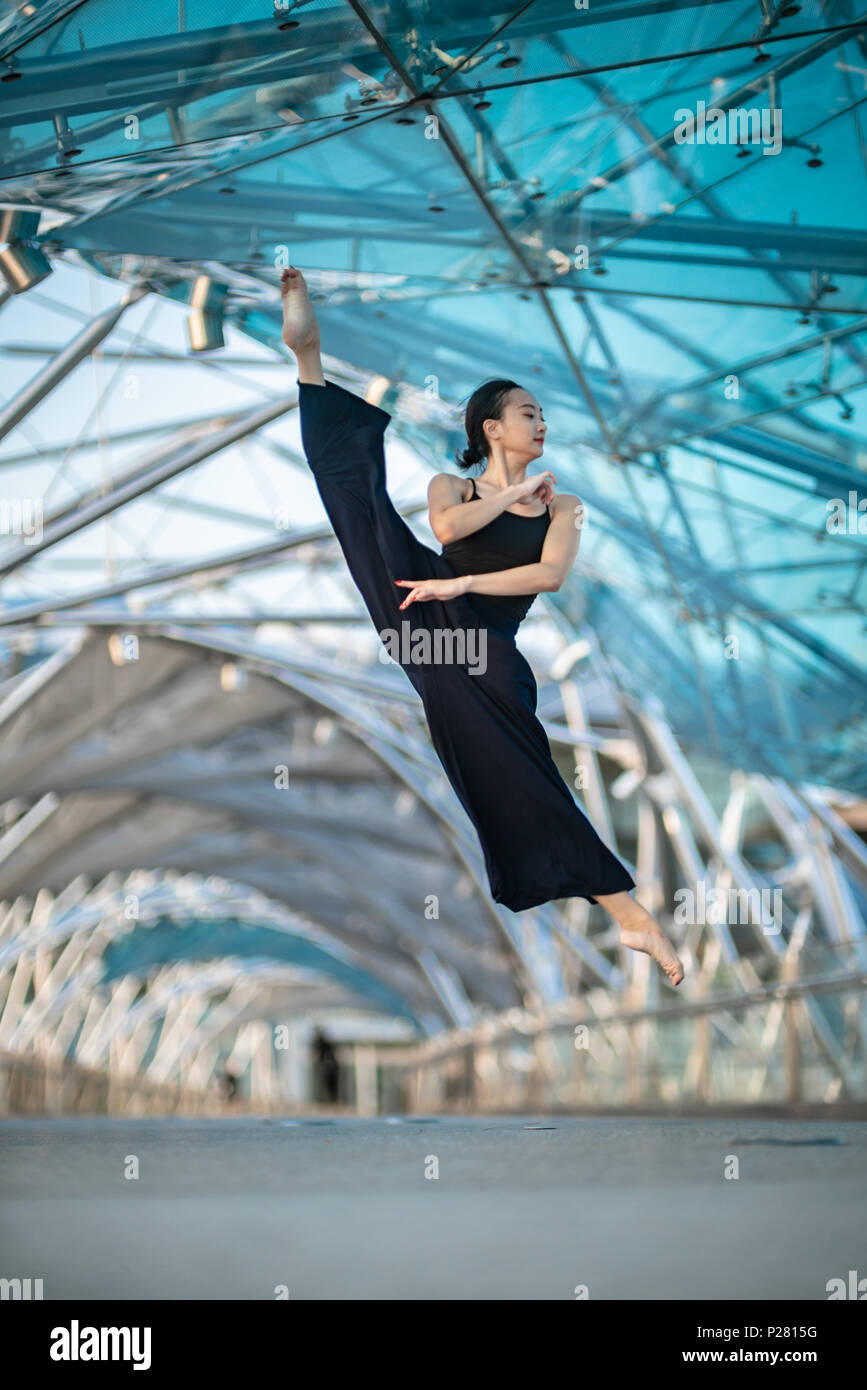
x: 525, y: 1207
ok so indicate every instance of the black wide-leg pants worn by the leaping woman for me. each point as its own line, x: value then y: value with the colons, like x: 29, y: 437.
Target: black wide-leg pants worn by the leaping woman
x: 537, y: 843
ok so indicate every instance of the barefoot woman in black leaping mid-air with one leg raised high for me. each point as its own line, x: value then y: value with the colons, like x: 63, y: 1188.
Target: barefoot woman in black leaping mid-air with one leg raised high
x: 506, y: 537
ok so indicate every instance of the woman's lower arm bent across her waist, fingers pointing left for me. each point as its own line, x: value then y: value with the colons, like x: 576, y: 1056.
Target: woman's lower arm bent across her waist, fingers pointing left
x: 558, y: 558
